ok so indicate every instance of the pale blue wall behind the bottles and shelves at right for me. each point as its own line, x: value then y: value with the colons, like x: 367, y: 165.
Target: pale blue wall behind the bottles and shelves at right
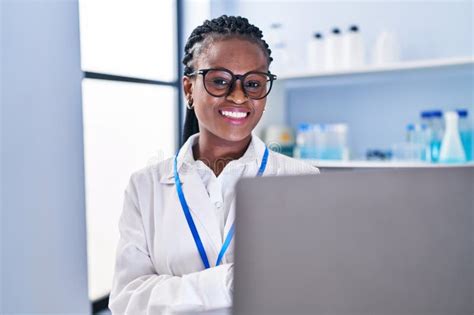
x: 376, y: 110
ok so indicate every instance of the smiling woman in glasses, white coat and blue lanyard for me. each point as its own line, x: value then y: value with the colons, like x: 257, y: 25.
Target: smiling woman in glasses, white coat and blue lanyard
x: 175, y: 252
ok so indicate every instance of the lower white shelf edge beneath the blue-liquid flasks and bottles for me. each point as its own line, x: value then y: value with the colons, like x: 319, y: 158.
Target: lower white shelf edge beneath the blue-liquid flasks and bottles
x: 381, y: 164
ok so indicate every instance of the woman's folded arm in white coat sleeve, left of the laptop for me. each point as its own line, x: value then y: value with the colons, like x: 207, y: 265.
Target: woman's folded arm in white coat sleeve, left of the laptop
x: 138, y: 289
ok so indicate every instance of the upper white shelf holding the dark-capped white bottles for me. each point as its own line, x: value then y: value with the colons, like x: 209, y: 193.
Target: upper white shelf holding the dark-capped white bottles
x: 435, y: 65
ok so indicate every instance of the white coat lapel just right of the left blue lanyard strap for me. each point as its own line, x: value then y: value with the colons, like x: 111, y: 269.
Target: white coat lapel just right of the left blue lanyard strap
x: 201, y: 209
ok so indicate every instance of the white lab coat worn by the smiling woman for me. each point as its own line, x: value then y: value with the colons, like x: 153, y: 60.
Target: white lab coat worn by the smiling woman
x: 158, y: 268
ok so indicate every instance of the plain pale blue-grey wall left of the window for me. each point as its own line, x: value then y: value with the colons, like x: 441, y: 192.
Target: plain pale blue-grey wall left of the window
x: 43, y: 218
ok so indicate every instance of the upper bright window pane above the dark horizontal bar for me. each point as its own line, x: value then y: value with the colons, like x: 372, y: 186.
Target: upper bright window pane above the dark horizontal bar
x: 132, y: 38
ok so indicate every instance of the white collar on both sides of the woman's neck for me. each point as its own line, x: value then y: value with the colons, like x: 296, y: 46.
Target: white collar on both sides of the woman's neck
x: 186, y: 162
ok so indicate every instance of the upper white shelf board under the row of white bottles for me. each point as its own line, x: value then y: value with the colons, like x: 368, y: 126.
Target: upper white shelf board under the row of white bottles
x: 460, y: 65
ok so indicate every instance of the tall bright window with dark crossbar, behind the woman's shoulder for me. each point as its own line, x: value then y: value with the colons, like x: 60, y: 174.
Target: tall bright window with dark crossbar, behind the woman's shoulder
x: 130, y: 111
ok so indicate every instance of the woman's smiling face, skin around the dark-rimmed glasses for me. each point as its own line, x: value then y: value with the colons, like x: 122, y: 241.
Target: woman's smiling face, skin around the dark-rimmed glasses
x: 228, y: 118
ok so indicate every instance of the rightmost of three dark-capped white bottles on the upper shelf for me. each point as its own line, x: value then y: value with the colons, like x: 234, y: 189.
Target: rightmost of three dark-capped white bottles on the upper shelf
x: 353, y: 49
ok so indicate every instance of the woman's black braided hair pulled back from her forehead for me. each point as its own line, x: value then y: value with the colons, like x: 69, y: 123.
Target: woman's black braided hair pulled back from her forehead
x: 220, y: 28
